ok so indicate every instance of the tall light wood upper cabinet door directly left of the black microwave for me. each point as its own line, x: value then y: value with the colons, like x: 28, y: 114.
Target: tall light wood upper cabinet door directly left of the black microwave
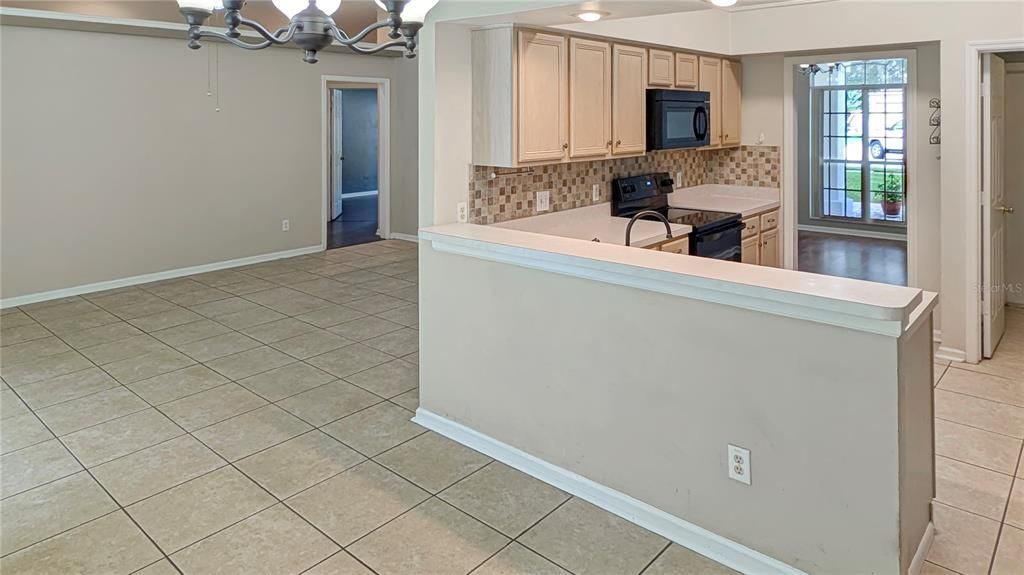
x: 629, y: 100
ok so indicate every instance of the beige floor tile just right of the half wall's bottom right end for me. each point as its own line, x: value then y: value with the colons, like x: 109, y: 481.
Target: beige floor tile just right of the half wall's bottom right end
x: 964, y: 542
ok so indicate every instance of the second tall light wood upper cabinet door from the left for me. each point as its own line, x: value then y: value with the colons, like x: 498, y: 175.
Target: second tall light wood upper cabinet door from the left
x: 590, y: 99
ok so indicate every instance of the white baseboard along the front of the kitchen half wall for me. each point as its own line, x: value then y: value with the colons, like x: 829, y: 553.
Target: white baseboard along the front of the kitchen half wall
x: 714, y: 547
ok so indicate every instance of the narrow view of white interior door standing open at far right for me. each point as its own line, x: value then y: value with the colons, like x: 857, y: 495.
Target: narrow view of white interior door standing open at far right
x: 994, y: 210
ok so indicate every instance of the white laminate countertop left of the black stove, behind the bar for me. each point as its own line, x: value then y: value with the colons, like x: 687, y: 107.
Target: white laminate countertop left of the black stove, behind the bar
x: 594, y: 222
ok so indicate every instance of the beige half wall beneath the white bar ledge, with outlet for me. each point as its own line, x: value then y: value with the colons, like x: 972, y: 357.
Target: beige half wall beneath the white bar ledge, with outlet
x: 635, y: 399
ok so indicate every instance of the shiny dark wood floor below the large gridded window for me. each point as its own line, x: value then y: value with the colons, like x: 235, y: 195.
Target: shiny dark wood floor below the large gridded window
x: 849, y: 256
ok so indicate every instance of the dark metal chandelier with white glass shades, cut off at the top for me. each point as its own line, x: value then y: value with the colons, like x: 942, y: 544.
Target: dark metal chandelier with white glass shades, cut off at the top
x: 311, y: 26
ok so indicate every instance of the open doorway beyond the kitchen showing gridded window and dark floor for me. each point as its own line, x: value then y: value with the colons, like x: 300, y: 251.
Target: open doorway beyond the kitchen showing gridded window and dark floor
x: 852, y: 142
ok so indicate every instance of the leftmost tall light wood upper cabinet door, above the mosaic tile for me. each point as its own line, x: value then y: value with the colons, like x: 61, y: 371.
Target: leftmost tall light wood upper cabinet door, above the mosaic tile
x: 543, y: 104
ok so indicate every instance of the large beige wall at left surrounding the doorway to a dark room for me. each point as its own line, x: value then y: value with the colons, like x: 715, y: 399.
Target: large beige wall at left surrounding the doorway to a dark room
x: 116, y: 164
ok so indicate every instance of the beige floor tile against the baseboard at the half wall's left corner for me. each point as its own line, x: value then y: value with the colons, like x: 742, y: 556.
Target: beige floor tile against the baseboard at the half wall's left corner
x: 433, y: 462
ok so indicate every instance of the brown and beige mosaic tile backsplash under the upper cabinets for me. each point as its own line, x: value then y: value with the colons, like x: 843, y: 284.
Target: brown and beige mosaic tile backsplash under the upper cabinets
x: 509, y: 195
